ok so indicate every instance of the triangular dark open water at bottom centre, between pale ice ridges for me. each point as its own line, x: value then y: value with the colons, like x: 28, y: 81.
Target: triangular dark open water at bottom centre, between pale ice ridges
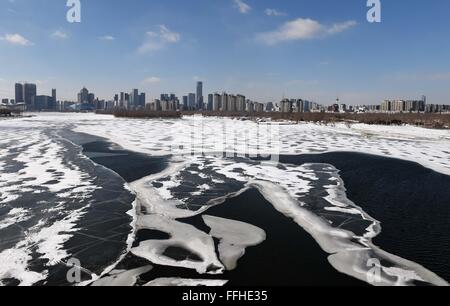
x: 288, y: 257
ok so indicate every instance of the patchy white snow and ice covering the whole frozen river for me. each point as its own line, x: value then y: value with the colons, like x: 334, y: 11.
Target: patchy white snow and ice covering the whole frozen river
x: 34, y: 147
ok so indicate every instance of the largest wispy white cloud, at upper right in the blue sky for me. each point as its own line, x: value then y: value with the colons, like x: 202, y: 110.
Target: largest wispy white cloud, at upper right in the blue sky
x: 302, y: 29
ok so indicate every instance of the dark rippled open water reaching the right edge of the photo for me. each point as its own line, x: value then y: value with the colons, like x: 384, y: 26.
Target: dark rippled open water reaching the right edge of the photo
x: 411, y: 202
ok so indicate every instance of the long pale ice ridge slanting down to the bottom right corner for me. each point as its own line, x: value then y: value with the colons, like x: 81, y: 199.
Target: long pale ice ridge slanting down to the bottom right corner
x: 345, y: 255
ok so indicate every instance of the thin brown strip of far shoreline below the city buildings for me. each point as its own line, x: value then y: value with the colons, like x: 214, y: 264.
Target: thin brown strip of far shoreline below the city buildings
x: 433, y: 121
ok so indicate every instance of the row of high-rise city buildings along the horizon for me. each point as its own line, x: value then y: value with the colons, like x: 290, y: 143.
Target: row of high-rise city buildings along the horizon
x: 26, y: 94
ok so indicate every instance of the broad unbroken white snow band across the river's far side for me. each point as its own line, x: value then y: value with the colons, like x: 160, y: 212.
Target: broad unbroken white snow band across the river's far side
x: 430, y: 148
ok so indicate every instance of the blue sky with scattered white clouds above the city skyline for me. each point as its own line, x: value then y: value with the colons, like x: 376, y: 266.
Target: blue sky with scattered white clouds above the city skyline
x: 312, y: 49
